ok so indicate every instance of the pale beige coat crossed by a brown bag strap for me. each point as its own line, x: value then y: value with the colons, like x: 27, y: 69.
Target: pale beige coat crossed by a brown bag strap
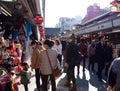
x: 45, y: 66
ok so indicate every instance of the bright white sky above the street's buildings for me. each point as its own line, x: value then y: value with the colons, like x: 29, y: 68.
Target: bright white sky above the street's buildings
x: 69, y: 8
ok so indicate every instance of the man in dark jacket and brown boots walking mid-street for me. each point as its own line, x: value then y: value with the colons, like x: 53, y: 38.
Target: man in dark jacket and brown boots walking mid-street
x: 70, y: 54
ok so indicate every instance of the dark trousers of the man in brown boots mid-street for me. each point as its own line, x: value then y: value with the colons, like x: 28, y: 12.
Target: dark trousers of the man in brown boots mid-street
x: 70, y: 74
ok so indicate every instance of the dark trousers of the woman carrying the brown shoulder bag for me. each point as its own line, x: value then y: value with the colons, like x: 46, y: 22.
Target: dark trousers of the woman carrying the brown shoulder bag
x: 45, y: 80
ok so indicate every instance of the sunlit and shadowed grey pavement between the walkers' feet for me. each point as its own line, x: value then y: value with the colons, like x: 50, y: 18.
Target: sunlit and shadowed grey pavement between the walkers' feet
x: 85, y: 82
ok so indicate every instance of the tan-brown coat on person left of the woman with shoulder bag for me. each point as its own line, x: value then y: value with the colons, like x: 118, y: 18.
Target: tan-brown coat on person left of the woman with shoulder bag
x: 36, y: 58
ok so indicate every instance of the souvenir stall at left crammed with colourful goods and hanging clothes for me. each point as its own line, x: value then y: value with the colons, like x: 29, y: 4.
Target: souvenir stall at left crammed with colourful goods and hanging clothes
x: 16, y: 29
